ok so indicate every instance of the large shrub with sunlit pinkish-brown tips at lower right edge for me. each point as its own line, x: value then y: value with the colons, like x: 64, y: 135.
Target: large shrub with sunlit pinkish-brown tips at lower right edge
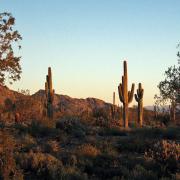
x: 166, y: 153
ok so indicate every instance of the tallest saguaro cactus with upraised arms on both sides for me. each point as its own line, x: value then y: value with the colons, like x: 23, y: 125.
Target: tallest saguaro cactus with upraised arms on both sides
x: 125, y: 96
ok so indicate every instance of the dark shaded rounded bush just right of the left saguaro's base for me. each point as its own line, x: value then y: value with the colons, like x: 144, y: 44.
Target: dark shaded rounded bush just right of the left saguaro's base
x: 73, y: 126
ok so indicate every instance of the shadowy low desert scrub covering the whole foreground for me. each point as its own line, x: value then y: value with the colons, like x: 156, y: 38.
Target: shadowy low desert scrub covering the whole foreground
x: 73, y: 149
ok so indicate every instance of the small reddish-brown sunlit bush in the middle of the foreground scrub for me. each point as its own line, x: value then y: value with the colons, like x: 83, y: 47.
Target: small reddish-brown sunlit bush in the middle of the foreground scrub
x: 87, y: 150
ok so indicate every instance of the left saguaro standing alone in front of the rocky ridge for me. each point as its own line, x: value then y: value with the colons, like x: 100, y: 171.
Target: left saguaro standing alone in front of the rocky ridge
x: 49, y: 91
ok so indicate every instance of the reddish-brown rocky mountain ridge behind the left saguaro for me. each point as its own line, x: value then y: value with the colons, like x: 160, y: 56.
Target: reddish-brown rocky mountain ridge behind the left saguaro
x: 32, y: 107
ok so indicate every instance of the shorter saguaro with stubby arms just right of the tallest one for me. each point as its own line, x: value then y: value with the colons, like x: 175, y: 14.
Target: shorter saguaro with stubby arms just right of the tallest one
x: 139, y: 99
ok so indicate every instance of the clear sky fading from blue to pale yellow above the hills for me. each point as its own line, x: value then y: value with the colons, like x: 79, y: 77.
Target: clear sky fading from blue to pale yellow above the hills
x: 86, y: 41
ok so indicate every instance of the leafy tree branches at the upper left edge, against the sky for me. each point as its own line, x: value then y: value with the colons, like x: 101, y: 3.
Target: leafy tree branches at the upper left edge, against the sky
x: 9, y: 43
